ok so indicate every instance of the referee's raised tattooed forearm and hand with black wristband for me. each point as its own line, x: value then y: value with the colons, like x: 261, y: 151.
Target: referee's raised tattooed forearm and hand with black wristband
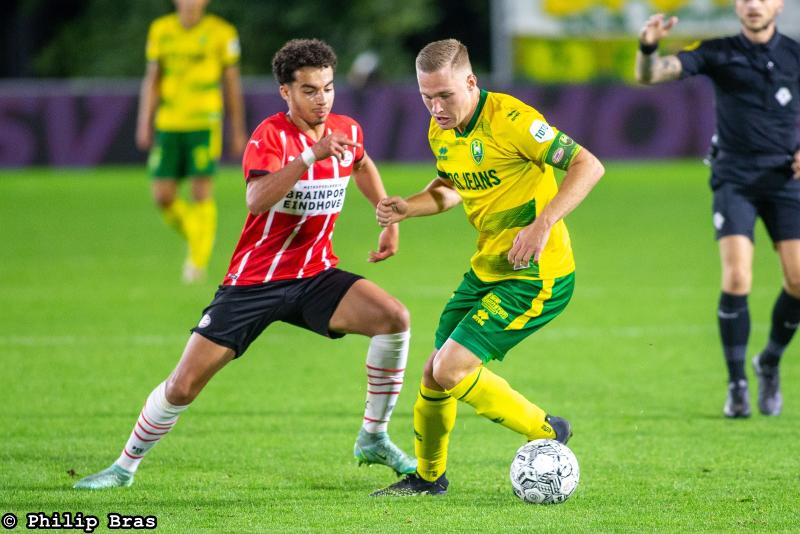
x: 650, y: 67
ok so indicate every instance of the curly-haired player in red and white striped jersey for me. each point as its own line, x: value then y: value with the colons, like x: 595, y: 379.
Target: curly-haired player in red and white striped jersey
x: 297, y: 165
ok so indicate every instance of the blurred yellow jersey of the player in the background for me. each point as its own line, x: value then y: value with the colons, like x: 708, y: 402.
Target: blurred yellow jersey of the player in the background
x: 191, y: 61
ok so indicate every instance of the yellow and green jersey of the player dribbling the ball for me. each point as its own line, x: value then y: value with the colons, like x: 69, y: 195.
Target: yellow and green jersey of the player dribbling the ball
x: 502, y: 166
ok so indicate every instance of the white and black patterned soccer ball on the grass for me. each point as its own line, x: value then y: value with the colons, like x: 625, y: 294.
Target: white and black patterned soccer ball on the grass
x: 544, y: 471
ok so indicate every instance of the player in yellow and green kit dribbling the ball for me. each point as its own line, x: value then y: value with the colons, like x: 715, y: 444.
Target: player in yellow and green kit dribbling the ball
x: 495, y: 154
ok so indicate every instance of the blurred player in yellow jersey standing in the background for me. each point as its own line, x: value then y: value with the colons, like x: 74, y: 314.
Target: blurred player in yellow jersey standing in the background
x: 189, y: 55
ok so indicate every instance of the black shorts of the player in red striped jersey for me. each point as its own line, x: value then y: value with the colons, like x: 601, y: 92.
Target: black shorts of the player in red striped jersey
x: 238, y: 314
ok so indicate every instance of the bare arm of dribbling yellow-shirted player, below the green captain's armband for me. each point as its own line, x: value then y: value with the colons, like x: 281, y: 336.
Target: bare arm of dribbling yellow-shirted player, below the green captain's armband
x: 582, y: 175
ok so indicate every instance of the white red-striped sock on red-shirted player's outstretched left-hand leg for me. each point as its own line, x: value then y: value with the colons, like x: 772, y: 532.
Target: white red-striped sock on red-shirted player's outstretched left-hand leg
x: 157, y: 418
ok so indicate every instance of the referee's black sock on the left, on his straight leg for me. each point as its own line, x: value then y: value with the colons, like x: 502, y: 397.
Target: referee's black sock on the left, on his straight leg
x: 734, y: 329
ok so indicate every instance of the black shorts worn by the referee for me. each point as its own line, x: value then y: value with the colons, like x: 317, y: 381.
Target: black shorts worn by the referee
x: 736, y: 207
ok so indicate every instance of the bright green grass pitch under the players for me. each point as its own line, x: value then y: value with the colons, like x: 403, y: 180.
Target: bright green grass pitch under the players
x: 93, y: 316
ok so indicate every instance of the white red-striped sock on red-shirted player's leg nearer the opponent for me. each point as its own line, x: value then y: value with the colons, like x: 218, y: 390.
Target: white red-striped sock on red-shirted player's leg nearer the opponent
x: 386, y: 366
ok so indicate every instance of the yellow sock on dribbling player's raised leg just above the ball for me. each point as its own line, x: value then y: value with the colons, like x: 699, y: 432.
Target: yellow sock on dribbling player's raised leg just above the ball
x: 493, y: 398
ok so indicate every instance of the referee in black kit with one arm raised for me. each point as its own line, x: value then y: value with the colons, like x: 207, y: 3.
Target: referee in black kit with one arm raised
x: 755, y: 167
